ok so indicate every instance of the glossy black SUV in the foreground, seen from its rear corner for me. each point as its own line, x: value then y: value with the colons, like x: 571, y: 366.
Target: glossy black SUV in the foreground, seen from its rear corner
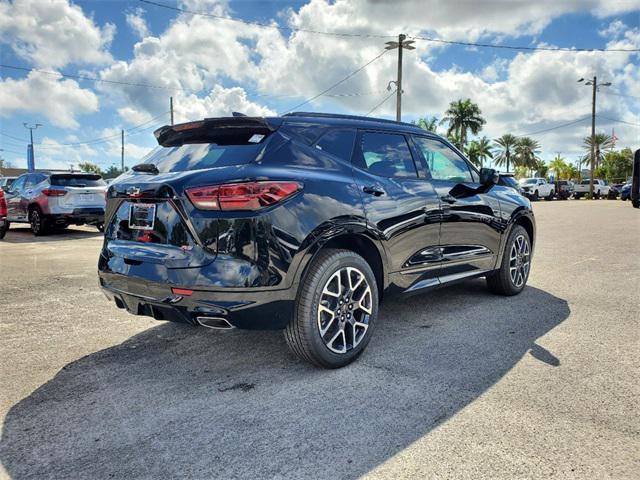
x: 303, y: 222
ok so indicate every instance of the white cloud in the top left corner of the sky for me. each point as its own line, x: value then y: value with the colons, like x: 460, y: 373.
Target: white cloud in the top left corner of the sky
x: 53, y: 33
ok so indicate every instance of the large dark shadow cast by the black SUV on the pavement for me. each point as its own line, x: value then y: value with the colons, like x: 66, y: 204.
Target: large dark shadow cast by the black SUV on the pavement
x: 176, y: 401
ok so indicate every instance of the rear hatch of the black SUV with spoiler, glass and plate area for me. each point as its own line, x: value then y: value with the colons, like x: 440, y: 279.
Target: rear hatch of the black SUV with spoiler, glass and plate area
x: 149, y: 218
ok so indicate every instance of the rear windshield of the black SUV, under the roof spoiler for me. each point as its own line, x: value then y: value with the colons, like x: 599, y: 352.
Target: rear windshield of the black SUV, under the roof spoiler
x: 196, y: 156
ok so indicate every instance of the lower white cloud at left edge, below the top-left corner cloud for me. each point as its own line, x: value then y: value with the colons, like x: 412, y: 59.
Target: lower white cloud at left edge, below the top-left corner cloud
x: 59, y: 100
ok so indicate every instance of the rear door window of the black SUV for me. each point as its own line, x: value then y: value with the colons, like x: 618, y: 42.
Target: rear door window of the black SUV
x: 386, y: 154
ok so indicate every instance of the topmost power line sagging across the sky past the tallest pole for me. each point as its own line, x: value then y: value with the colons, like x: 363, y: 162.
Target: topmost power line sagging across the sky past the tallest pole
x: 378, y: 35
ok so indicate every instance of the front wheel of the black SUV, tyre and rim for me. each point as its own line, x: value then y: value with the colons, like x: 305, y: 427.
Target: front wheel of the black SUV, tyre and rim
x: 512, y: 276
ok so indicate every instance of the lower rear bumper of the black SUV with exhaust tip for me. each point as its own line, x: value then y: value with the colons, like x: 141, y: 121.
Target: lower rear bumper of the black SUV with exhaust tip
x: 250, y: 309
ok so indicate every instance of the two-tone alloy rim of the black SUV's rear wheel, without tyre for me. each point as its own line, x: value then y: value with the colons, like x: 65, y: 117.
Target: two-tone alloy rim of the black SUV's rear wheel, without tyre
x: 344, y: 310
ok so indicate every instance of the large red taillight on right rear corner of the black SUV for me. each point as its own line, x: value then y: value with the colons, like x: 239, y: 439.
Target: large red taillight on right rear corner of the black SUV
x: 241, y: 196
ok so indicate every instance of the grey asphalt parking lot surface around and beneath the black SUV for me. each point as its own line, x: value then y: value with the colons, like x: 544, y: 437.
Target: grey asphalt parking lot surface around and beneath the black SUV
x: 455, y: 384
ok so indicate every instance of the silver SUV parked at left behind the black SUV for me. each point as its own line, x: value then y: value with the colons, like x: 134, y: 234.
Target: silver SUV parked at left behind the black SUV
x: 48, y: 201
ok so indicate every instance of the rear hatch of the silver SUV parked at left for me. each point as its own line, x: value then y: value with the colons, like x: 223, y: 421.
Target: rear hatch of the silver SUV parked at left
x: 83, y: 190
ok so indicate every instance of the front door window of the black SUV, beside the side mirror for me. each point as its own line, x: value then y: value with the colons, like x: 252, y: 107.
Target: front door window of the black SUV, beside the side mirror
x: 442, y: 162
